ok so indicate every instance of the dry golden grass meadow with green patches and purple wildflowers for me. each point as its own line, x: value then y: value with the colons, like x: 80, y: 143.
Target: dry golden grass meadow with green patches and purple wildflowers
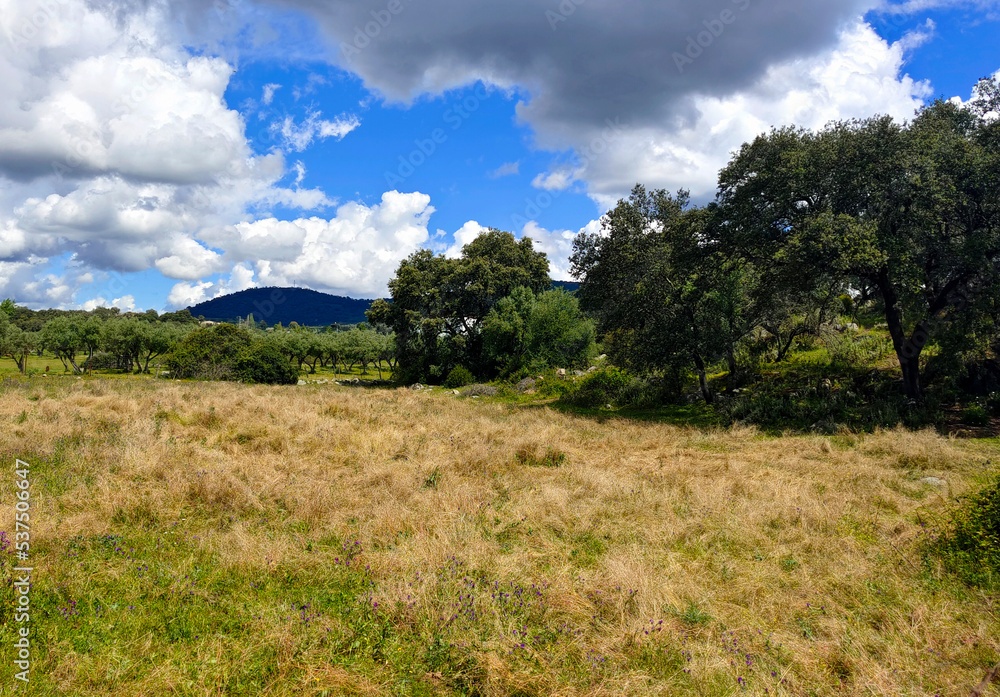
x: 220, y: 539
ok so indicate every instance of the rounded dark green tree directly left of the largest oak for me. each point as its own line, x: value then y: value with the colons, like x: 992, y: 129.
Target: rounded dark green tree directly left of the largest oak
x: 667, y: 295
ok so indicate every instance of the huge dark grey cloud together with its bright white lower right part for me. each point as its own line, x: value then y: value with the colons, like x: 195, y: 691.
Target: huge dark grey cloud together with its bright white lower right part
x: 659, y: 92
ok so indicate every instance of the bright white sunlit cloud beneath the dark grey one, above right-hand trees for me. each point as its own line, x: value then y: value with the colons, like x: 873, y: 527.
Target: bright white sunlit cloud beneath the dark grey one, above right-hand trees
x: 859, y: 77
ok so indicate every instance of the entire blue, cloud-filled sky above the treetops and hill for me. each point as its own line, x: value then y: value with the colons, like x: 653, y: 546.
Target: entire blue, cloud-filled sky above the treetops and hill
x: 156, y: 154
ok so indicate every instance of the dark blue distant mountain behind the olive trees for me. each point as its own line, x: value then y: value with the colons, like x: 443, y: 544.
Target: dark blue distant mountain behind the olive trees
x: 285, y: 305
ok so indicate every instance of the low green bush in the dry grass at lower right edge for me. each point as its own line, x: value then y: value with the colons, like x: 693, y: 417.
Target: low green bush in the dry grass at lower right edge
x: 971, y: 547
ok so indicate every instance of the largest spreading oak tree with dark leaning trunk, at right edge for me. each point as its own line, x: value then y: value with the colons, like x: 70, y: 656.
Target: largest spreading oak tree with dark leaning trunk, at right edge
x: 906, y: 213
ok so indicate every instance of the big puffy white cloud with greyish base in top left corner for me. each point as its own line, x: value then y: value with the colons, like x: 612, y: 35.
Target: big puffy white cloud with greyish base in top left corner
x: 83, y: 98
